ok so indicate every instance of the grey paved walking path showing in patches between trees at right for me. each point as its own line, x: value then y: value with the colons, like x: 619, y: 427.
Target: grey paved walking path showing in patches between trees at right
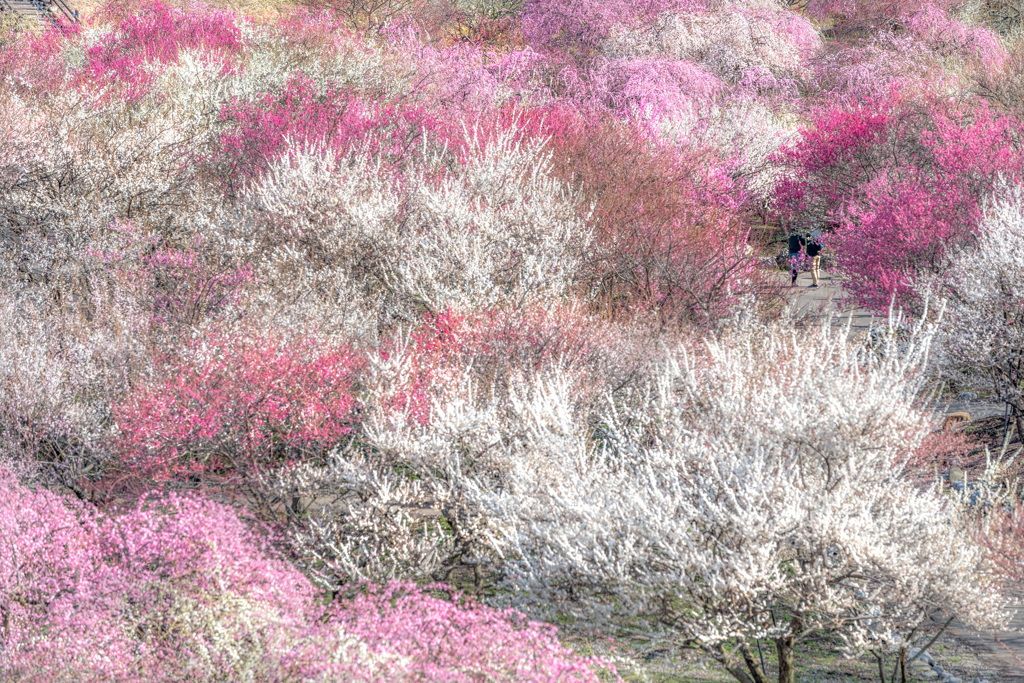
x: 1005, y: 650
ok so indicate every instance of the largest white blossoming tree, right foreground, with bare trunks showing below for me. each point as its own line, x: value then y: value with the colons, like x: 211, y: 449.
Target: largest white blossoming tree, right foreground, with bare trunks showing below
x: 755, y: 489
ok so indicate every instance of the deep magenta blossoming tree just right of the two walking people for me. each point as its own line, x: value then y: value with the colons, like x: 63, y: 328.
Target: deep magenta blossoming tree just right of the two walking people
x: 903, y: 182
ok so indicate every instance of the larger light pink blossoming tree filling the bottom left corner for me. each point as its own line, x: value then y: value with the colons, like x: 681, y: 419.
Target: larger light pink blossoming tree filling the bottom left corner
x: 174, y: 588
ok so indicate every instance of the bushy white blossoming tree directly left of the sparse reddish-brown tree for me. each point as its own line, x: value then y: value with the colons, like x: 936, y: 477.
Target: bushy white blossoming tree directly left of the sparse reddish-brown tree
x: 497, y: 231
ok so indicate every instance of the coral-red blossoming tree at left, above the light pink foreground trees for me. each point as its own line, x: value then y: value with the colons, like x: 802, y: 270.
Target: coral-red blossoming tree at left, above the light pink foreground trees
x: 235, y: 406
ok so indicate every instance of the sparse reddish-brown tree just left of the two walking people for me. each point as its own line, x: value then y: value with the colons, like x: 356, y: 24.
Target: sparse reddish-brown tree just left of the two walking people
x: 670, y: 239
